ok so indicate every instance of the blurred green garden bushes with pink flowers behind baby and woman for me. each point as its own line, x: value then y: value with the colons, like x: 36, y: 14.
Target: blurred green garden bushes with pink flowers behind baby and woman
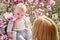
x: 35, y: 8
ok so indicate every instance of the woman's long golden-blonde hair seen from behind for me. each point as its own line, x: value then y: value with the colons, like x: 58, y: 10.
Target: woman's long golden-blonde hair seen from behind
x: 44, y: 29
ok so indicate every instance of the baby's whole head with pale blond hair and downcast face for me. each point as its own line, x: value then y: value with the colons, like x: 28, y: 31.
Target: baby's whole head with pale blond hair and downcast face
x: 20, y: 10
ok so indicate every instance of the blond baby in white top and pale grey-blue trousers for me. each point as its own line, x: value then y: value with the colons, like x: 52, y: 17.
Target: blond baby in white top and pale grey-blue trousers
x: 21, y: 27
